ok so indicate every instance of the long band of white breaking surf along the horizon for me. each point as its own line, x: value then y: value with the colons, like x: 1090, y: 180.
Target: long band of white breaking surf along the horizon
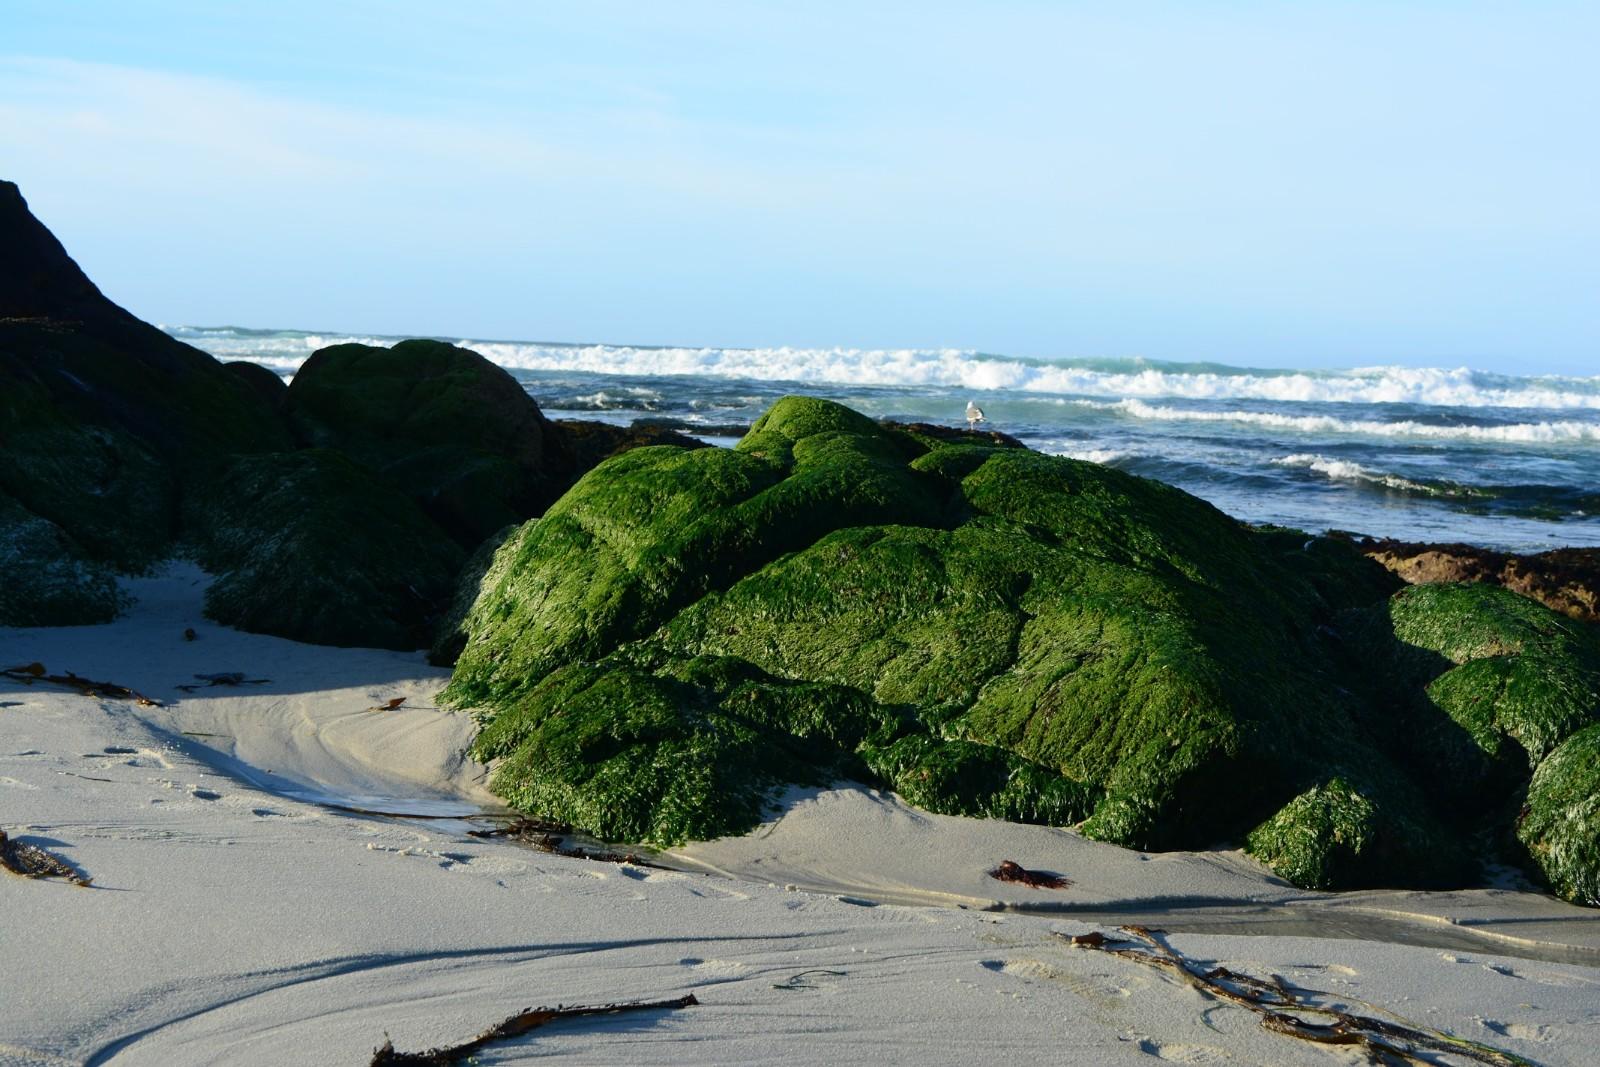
x: 962, y: 369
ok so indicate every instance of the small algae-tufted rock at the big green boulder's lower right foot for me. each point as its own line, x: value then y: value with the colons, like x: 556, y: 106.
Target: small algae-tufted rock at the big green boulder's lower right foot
x: 1338, y: 836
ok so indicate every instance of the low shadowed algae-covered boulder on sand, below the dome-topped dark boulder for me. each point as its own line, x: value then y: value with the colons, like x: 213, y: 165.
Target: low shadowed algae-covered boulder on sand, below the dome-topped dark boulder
x: 316, y: 548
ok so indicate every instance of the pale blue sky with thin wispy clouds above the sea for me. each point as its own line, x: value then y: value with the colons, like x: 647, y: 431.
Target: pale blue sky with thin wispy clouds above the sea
x: 1268, y: 185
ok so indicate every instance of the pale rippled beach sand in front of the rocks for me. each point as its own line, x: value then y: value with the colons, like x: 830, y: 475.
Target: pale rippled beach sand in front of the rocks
x: 236, y: 921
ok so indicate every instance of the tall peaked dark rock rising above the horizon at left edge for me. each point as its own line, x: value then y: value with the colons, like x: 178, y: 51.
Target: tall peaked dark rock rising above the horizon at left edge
x: 105, y: 418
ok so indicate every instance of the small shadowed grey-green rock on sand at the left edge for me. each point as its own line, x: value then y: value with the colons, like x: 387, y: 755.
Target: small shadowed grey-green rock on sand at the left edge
x: 47, y: 578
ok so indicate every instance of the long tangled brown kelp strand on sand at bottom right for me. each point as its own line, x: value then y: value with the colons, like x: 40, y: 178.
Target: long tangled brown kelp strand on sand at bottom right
x: 1297, y: 1012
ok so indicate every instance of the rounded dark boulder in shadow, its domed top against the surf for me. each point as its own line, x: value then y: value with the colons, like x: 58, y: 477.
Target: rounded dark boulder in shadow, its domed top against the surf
x: 442, y: 423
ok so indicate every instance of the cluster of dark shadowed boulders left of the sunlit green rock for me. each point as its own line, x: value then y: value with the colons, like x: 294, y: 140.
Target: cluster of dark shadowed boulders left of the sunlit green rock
x: 121, y: 446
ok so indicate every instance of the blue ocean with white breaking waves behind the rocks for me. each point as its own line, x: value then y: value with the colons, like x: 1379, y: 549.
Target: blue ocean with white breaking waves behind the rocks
x: 1414, y: 454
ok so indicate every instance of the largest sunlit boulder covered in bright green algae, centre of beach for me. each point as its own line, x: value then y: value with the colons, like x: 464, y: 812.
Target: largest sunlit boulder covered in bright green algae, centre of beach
x: 985, y: 629
